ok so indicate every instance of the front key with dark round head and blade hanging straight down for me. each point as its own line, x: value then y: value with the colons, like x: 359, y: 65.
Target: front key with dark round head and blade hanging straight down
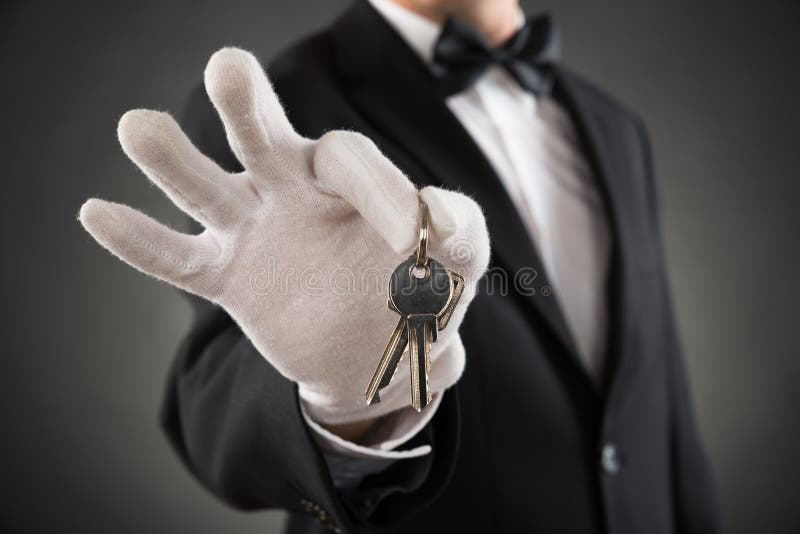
x: 420, y: 295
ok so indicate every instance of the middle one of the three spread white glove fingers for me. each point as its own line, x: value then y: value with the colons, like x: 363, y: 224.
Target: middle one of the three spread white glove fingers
x: 158, y: 146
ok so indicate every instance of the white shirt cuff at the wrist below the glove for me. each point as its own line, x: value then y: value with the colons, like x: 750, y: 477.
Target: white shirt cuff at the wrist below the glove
x: 395, y: 429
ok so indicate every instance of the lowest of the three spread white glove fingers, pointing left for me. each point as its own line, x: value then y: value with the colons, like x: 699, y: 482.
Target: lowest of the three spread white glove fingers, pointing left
x: 149, y: 246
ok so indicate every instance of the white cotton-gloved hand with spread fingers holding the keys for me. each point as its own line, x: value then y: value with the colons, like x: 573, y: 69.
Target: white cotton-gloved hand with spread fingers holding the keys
x: 297, y: 248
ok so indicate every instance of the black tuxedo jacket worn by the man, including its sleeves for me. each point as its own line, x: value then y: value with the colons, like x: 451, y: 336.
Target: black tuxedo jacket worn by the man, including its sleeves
x: 524, y: 442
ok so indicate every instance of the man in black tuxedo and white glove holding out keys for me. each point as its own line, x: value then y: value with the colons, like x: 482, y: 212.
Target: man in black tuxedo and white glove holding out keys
x: 572, y: 413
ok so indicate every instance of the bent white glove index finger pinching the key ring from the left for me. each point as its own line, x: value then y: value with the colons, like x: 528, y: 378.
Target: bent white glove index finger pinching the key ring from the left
x: 350, y: 165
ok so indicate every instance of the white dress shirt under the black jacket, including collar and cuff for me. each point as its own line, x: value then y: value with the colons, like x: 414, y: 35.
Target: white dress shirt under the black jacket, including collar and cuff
x: 532, y: 145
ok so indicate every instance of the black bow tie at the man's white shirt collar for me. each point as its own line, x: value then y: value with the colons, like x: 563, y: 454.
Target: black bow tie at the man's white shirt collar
x: 461, y: 55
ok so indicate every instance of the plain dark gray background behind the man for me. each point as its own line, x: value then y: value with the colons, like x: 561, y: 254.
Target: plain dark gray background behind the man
x: 86, y: 340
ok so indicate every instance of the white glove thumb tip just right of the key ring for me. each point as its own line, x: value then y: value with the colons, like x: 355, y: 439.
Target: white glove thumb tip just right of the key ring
x: 459, y: 236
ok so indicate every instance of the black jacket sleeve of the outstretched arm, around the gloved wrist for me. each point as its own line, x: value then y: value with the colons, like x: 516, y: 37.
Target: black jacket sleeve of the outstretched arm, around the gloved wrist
x: 237, y: 424
